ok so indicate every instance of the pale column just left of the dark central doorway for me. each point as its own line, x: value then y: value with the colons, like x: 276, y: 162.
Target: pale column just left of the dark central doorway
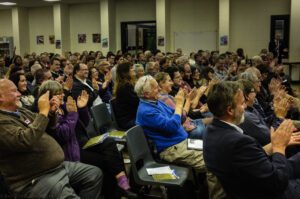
x: 107, y: 25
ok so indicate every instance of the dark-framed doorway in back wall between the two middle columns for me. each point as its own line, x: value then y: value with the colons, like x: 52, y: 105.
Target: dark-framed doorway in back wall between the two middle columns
x: 137, y: 36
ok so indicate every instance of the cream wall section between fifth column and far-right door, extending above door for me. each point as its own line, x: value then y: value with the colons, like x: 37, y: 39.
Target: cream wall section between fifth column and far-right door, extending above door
x: 250, y: 23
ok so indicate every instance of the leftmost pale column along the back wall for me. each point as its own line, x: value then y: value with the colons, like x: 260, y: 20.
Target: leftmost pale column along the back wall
x: 20, y: 29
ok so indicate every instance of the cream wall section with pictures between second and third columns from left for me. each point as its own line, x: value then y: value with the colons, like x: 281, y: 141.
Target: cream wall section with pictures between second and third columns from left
x: 84, y: 19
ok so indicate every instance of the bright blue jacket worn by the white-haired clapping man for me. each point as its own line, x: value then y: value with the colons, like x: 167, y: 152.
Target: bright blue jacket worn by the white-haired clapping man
x: 160, y: 124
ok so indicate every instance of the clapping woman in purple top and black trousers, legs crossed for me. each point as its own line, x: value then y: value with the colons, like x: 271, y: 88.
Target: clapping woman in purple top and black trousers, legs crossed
x: 104, y: 155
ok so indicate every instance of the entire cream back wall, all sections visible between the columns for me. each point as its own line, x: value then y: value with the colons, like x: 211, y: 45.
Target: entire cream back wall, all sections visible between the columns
x: 249, y: 21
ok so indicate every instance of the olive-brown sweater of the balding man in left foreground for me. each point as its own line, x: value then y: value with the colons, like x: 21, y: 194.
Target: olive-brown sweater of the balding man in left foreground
x: 26, y: 151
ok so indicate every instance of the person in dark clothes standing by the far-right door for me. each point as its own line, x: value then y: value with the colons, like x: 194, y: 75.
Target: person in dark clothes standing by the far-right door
x: 278, y: 47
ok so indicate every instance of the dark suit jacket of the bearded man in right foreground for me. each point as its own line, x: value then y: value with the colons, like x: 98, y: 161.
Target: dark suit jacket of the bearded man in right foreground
x: 243, y: 167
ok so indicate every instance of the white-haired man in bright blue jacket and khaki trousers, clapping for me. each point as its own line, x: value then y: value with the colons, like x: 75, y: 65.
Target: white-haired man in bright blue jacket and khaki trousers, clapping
x: 162, y: 125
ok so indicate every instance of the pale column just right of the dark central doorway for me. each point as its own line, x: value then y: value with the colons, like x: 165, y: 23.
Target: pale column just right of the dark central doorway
x: 162, y: 25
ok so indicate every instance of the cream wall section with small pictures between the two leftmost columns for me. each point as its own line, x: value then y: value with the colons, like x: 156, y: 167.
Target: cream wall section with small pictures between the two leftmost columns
x: 41, y: 23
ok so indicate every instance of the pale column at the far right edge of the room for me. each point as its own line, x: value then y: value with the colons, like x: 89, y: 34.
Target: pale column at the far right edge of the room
x: 294, y: 51
